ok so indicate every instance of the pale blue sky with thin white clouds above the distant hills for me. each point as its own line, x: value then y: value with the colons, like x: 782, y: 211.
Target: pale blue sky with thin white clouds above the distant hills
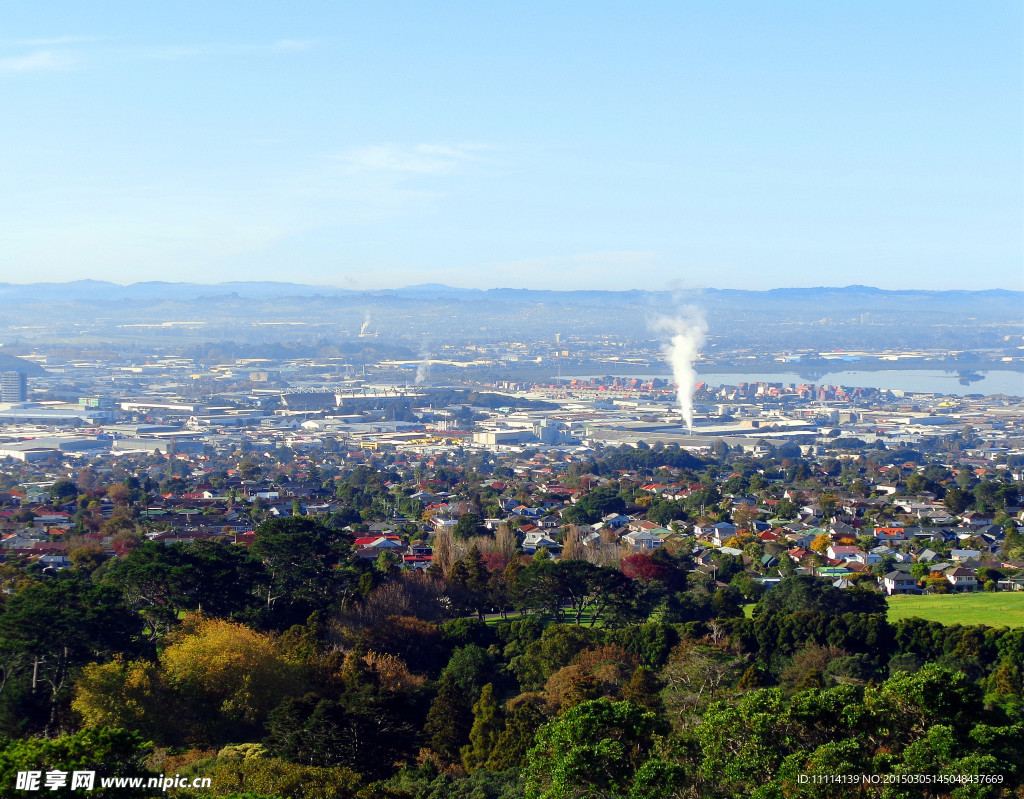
x: 541, y: 145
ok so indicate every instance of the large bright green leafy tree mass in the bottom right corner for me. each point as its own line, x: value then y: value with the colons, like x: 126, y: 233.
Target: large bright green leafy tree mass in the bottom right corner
x: 931, y: 722
